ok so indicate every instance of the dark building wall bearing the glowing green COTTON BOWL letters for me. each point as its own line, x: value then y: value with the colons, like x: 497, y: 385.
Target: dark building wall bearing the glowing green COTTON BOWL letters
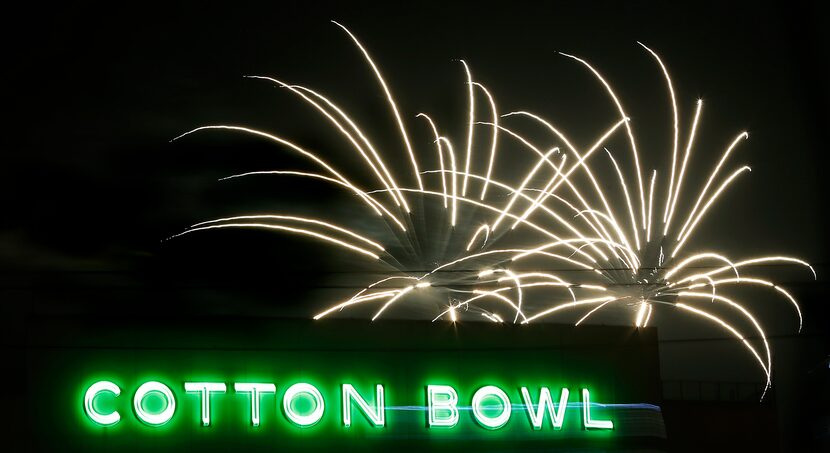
x: 395, y: 387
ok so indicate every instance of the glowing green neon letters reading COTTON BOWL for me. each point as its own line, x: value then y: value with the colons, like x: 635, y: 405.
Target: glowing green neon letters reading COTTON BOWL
x: 490, y: 405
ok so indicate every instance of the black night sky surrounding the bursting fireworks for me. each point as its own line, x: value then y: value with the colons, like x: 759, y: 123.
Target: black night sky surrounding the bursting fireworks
x: 94, y: 94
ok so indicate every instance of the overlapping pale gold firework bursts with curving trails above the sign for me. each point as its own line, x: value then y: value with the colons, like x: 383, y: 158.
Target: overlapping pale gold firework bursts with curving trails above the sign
x: 621, y: 253
